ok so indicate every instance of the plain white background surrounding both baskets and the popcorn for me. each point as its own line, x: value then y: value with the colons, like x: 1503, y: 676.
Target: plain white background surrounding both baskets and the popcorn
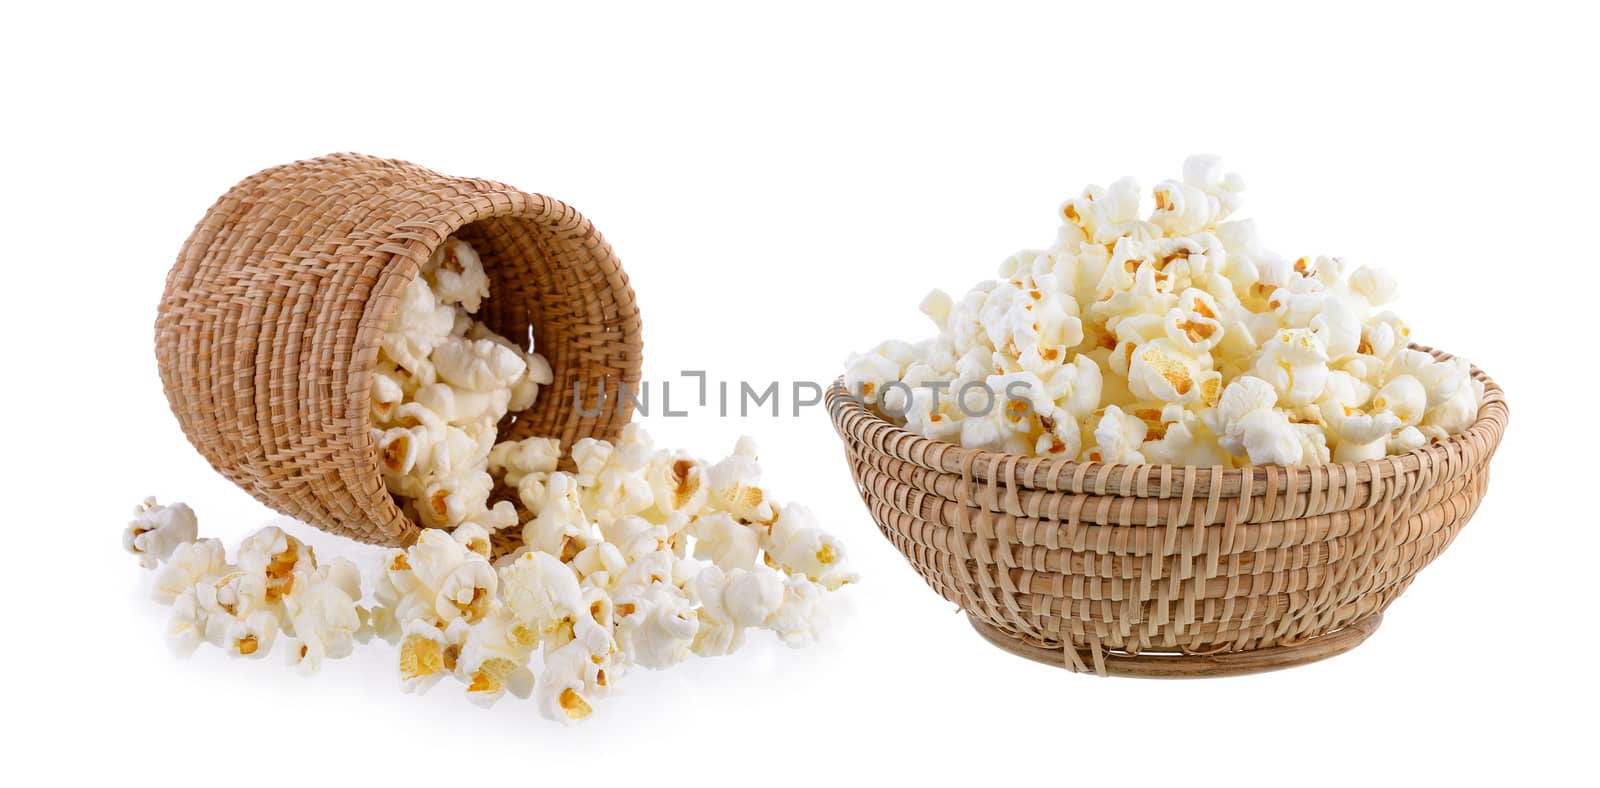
x: 783, y: 188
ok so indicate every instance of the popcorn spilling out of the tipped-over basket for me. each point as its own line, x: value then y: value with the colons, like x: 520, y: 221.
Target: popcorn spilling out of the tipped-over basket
x: 636, y: 558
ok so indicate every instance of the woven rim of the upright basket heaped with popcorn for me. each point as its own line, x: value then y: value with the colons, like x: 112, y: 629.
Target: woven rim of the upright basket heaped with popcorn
x: 854, y: 420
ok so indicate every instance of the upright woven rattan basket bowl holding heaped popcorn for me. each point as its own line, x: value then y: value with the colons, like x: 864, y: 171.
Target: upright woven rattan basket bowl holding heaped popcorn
x: 1167, y: 571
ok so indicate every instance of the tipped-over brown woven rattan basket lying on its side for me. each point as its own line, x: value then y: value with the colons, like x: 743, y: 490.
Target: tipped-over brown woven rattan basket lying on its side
x: 270, y: 328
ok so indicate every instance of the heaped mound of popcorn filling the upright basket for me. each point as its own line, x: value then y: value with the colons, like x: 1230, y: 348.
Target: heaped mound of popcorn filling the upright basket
x: 1177, y: 339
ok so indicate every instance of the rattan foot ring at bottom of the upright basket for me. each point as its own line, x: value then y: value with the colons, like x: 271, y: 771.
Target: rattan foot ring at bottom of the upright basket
x: 1198, y: 665
